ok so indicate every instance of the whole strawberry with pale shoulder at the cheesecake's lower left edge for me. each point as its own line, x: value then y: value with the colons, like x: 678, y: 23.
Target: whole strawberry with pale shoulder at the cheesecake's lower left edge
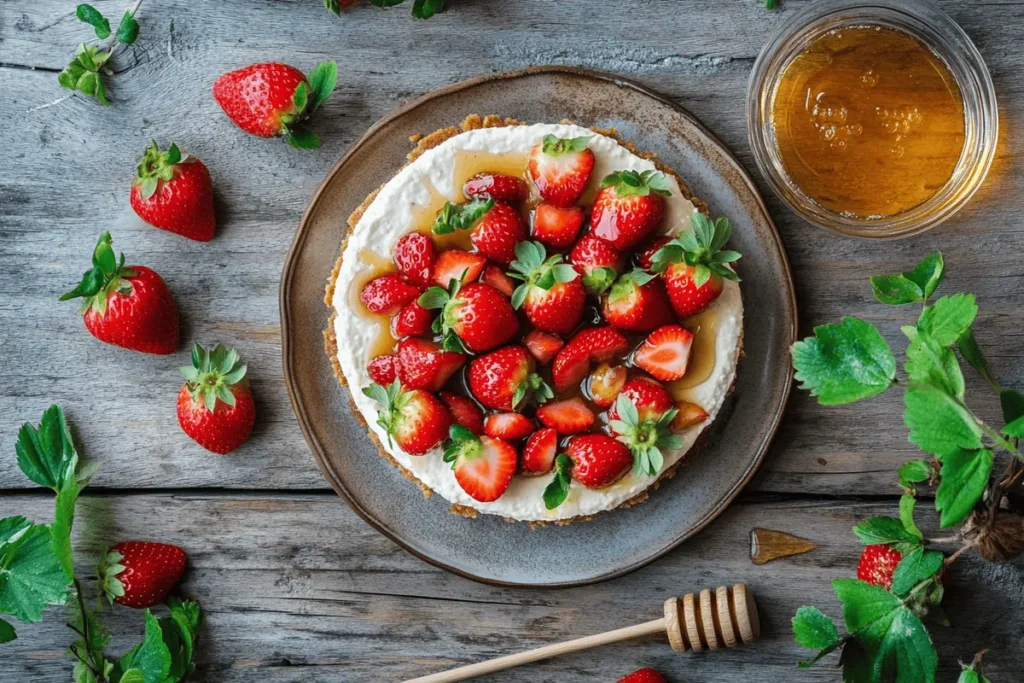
x: 416, y: 420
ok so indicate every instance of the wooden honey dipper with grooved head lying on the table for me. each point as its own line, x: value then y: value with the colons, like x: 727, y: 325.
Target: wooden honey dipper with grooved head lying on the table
x: 696, y: 622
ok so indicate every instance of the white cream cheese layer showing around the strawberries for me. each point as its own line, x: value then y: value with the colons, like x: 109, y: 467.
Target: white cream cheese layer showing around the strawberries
x: 392, y: 215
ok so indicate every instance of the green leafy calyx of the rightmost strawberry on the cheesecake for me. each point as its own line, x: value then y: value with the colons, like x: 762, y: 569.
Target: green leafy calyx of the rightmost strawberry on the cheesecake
x: 702, y: 248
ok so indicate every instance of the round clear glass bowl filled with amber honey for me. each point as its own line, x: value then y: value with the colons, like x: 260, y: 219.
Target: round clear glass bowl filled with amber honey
x: 873, y: 120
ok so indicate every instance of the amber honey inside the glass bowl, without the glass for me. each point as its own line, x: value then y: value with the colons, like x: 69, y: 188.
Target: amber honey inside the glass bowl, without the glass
x: 869, y: 121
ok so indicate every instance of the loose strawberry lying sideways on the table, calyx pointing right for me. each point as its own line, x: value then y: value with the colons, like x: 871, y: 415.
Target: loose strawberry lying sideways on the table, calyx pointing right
x: 272, y: 100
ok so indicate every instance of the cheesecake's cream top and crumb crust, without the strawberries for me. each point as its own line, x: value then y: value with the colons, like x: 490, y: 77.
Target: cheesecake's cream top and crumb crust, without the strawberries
x: 401, y: 205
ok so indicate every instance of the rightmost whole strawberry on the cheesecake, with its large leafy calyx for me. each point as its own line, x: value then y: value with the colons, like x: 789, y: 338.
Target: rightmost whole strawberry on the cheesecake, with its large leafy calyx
x: 694, y: 265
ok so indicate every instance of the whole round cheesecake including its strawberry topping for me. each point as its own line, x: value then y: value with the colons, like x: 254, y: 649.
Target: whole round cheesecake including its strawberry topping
x: 550, y: 337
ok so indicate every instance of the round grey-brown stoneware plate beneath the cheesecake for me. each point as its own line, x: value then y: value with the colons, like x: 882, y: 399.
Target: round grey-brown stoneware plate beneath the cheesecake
x: 488, y: 548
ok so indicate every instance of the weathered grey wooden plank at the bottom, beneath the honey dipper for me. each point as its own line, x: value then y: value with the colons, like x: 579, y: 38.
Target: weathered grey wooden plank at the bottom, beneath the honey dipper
x: 297, y: 588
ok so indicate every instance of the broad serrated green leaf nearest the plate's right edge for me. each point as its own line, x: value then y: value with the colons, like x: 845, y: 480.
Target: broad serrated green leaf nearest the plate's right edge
x: 844, y: 363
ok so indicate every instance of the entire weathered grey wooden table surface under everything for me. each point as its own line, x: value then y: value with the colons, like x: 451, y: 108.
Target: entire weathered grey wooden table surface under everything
x: 295, y: 587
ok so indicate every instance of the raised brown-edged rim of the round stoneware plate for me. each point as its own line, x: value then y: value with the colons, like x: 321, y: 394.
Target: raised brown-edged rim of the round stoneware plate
x: 292, y: 258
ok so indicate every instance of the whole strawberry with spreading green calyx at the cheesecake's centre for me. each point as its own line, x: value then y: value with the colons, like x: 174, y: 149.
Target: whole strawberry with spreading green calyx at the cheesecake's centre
x: 552, y: 293
